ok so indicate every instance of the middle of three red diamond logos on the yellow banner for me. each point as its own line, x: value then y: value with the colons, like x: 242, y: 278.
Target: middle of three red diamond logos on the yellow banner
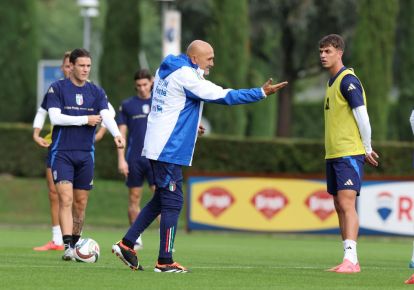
x: 269, y: 202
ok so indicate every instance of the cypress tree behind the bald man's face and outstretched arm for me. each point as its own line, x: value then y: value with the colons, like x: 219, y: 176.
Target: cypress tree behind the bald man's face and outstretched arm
x: 230, y: 38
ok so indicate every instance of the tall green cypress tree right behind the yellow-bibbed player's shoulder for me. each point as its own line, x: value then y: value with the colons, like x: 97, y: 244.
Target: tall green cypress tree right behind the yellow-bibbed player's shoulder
x: 372, y: 57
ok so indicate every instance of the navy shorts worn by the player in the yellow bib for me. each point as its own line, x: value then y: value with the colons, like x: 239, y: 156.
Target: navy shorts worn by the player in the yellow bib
x: 345, y: 173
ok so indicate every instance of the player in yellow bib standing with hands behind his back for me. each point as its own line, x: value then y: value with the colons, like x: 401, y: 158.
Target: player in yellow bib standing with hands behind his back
x: 347, y: 144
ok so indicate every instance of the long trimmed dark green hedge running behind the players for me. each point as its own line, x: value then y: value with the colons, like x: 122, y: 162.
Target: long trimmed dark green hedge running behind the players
x: 20, y: 156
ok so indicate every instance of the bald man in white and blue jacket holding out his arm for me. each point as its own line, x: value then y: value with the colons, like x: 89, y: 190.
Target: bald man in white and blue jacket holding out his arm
x: 179, y: 93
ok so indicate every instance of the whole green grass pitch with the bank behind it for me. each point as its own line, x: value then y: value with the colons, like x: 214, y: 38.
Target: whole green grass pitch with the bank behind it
x: 218, y: 260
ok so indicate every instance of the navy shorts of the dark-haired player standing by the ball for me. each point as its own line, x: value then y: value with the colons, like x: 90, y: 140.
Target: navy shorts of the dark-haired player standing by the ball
x: 74, y: 166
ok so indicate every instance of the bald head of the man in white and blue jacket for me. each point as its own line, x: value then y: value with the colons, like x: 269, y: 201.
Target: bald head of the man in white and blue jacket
x: 201, y: 53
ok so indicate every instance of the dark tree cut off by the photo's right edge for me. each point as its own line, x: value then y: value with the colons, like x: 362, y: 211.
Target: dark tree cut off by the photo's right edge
x: 404, y: 65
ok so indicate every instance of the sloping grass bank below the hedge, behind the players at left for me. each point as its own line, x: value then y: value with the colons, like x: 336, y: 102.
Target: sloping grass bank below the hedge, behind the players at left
x: 25, y: 201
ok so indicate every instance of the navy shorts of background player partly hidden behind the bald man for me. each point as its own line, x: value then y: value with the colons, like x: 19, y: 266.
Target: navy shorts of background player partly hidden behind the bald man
x: 139, y: 168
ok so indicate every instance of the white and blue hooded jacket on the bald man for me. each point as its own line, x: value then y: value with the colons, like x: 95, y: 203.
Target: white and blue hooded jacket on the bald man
x: 177, y: 103
